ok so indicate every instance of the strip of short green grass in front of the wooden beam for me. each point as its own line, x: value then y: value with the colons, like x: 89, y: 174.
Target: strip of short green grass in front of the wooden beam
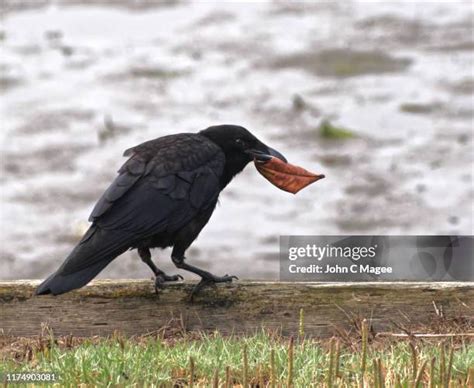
x: 155, y: 362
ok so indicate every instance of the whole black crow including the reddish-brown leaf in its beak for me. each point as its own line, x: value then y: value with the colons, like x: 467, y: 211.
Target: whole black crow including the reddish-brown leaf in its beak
x: 163, y: 196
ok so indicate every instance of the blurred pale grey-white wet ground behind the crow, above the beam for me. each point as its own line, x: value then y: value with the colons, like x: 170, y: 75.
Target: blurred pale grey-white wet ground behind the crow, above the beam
x: 378, y: 96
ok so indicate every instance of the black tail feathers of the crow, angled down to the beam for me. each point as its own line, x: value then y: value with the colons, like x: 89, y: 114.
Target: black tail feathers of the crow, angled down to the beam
x: 94, y: 252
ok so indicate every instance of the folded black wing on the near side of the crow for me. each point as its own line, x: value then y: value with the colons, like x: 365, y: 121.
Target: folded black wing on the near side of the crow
x: 164, y: 184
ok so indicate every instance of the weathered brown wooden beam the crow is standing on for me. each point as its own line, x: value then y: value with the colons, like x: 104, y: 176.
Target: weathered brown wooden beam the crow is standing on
x: 132, y: 307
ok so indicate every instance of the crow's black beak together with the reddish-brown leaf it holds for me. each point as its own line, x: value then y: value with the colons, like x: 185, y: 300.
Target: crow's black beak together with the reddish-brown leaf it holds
x: 275, y: 168
